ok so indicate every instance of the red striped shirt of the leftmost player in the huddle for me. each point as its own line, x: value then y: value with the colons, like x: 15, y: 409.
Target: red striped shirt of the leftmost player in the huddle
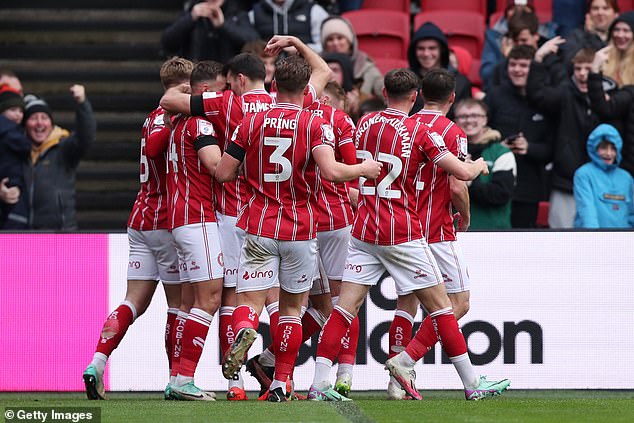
x: 149, y: 211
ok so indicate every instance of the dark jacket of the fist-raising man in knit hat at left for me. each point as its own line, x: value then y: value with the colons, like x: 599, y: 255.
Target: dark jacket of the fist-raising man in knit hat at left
x: 51, y: 176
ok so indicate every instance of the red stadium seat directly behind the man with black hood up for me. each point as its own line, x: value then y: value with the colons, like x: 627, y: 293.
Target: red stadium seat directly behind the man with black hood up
x: 463, y: 29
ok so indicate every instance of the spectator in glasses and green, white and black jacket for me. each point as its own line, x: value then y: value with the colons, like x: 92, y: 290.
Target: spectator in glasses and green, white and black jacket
x: 490, y: 194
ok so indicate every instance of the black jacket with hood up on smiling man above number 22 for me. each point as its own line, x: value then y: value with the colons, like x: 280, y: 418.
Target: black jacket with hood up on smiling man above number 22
x: 430, y: 31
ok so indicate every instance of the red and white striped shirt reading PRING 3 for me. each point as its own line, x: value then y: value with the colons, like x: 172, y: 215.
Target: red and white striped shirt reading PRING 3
x: 280, y: 171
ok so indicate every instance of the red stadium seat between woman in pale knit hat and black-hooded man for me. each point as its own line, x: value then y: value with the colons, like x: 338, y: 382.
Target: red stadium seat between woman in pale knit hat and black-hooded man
x: 381, y: 33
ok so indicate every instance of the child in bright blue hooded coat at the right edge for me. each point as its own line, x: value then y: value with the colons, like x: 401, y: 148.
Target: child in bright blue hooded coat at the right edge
x: 603, y: 191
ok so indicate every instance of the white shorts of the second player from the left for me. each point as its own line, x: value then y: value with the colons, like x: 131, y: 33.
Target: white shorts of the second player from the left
x: 199, y: 252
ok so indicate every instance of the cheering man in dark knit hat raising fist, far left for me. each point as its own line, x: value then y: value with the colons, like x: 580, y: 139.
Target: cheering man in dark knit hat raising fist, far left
x: 55, y: 155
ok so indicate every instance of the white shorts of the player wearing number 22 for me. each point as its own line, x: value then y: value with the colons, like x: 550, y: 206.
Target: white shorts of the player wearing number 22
x: 411, y: 265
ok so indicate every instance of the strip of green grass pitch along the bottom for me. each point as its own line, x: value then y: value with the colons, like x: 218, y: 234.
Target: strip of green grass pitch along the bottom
x: 539, y: 406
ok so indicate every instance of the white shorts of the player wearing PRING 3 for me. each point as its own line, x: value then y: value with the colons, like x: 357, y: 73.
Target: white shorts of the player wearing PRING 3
x: 264, y: 261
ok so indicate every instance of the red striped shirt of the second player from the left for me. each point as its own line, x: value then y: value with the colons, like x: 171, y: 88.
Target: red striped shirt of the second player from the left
x: 189, y: 183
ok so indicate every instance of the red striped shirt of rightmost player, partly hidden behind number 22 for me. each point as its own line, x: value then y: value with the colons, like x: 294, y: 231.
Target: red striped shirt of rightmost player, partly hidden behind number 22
x: 434, y: 200
